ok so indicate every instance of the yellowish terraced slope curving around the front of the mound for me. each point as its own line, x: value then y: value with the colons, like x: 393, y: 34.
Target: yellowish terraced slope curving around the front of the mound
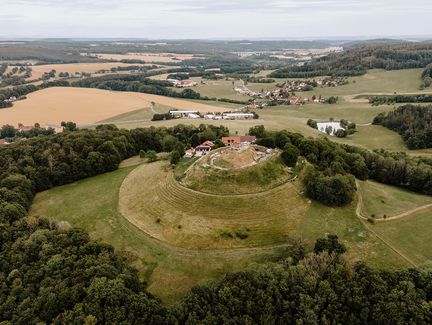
x: 195, y: 220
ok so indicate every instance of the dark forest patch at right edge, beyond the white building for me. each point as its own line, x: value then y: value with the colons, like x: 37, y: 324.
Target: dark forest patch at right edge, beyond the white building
x: 413, y: 123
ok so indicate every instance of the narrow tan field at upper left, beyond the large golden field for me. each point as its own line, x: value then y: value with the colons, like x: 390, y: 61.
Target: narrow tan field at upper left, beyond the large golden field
x: 39, y: 70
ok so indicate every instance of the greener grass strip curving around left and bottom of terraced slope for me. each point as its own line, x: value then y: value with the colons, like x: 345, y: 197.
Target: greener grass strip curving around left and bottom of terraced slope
x: 169, y: 272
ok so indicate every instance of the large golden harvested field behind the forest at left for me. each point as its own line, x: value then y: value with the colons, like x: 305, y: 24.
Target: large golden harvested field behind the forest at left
x: 85, y: 106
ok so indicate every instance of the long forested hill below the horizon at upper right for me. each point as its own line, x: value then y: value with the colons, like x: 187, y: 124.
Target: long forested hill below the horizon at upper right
x: 356, y: 61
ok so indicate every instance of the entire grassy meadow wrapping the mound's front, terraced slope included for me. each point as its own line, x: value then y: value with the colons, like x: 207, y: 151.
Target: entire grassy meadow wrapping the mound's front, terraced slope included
x: 165, y: 261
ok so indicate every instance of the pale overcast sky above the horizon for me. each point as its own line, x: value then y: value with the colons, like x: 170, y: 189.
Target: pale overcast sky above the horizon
x: 214, y: 18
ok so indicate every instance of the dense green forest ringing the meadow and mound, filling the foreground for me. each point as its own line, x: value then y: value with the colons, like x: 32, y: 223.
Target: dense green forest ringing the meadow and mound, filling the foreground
x: 54, y: 274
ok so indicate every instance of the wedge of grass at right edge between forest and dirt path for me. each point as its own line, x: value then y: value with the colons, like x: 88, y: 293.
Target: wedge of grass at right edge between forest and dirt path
x: 380, y: 200
